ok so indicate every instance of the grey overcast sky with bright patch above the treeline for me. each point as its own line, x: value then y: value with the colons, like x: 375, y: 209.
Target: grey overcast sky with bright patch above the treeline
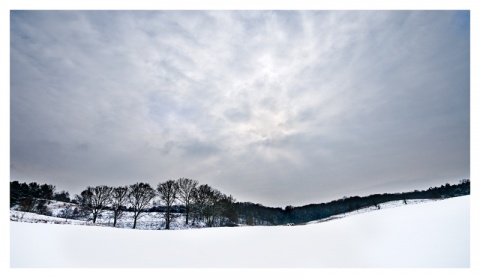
x: 279, y: 108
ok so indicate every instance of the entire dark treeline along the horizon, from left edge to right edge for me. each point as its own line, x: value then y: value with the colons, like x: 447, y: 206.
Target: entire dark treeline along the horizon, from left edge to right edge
x: 200, y: 203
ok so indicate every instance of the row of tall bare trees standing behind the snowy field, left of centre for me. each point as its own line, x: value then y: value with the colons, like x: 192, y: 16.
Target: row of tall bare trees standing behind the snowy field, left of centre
x: 206, y: 204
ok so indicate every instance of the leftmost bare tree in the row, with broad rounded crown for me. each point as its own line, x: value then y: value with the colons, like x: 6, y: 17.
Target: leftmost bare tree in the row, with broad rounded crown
x: 95, y: 199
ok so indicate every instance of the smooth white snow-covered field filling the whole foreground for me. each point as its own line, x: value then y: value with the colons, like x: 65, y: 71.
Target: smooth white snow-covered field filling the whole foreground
x: 431, y: 234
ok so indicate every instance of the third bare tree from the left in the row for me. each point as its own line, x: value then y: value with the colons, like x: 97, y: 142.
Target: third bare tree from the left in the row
x: 139, y: 196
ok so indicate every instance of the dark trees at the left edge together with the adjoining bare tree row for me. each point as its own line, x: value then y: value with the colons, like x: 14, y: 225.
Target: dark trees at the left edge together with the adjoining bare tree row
x: 200, y: 202
